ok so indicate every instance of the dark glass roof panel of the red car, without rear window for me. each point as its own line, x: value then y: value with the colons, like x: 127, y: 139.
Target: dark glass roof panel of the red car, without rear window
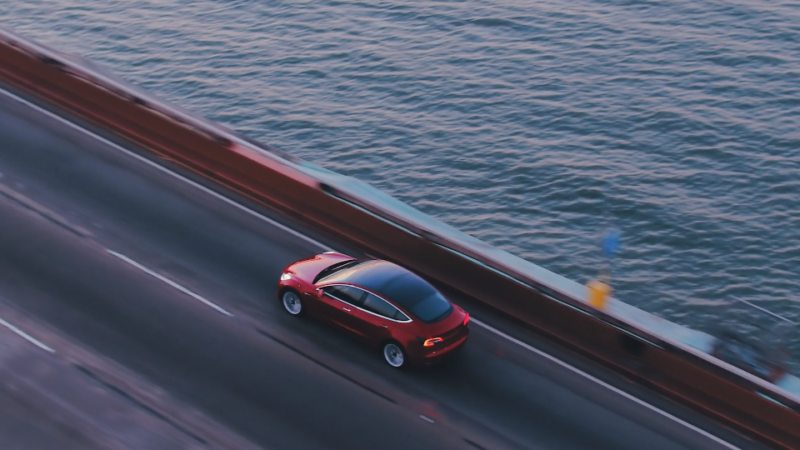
x: 389, y: 280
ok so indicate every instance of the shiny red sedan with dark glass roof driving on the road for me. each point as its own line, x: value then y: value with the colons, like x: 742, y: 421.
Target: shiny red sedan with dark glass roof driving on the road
x: 382, y: 303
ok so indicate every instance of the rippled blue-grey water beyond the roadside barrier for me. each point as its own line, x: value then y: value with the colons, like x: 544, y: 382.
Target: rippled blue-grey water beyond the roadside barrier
x: 530, y: 125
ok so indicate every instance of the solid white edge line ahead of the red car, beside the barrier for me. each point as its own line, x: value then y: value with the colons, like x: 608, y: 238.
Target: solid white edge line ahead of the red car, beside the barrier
x: 167, y: 171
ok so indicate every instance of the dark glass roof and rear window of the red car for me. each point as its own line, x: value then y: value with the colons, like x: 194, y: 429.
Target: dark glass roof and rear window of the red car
x: 398, y: 285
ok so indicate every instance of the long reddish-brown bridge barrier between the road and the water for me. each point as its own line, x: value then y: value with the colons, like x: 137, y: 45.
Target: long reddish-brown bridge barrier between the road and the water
x: 750, y: 405
